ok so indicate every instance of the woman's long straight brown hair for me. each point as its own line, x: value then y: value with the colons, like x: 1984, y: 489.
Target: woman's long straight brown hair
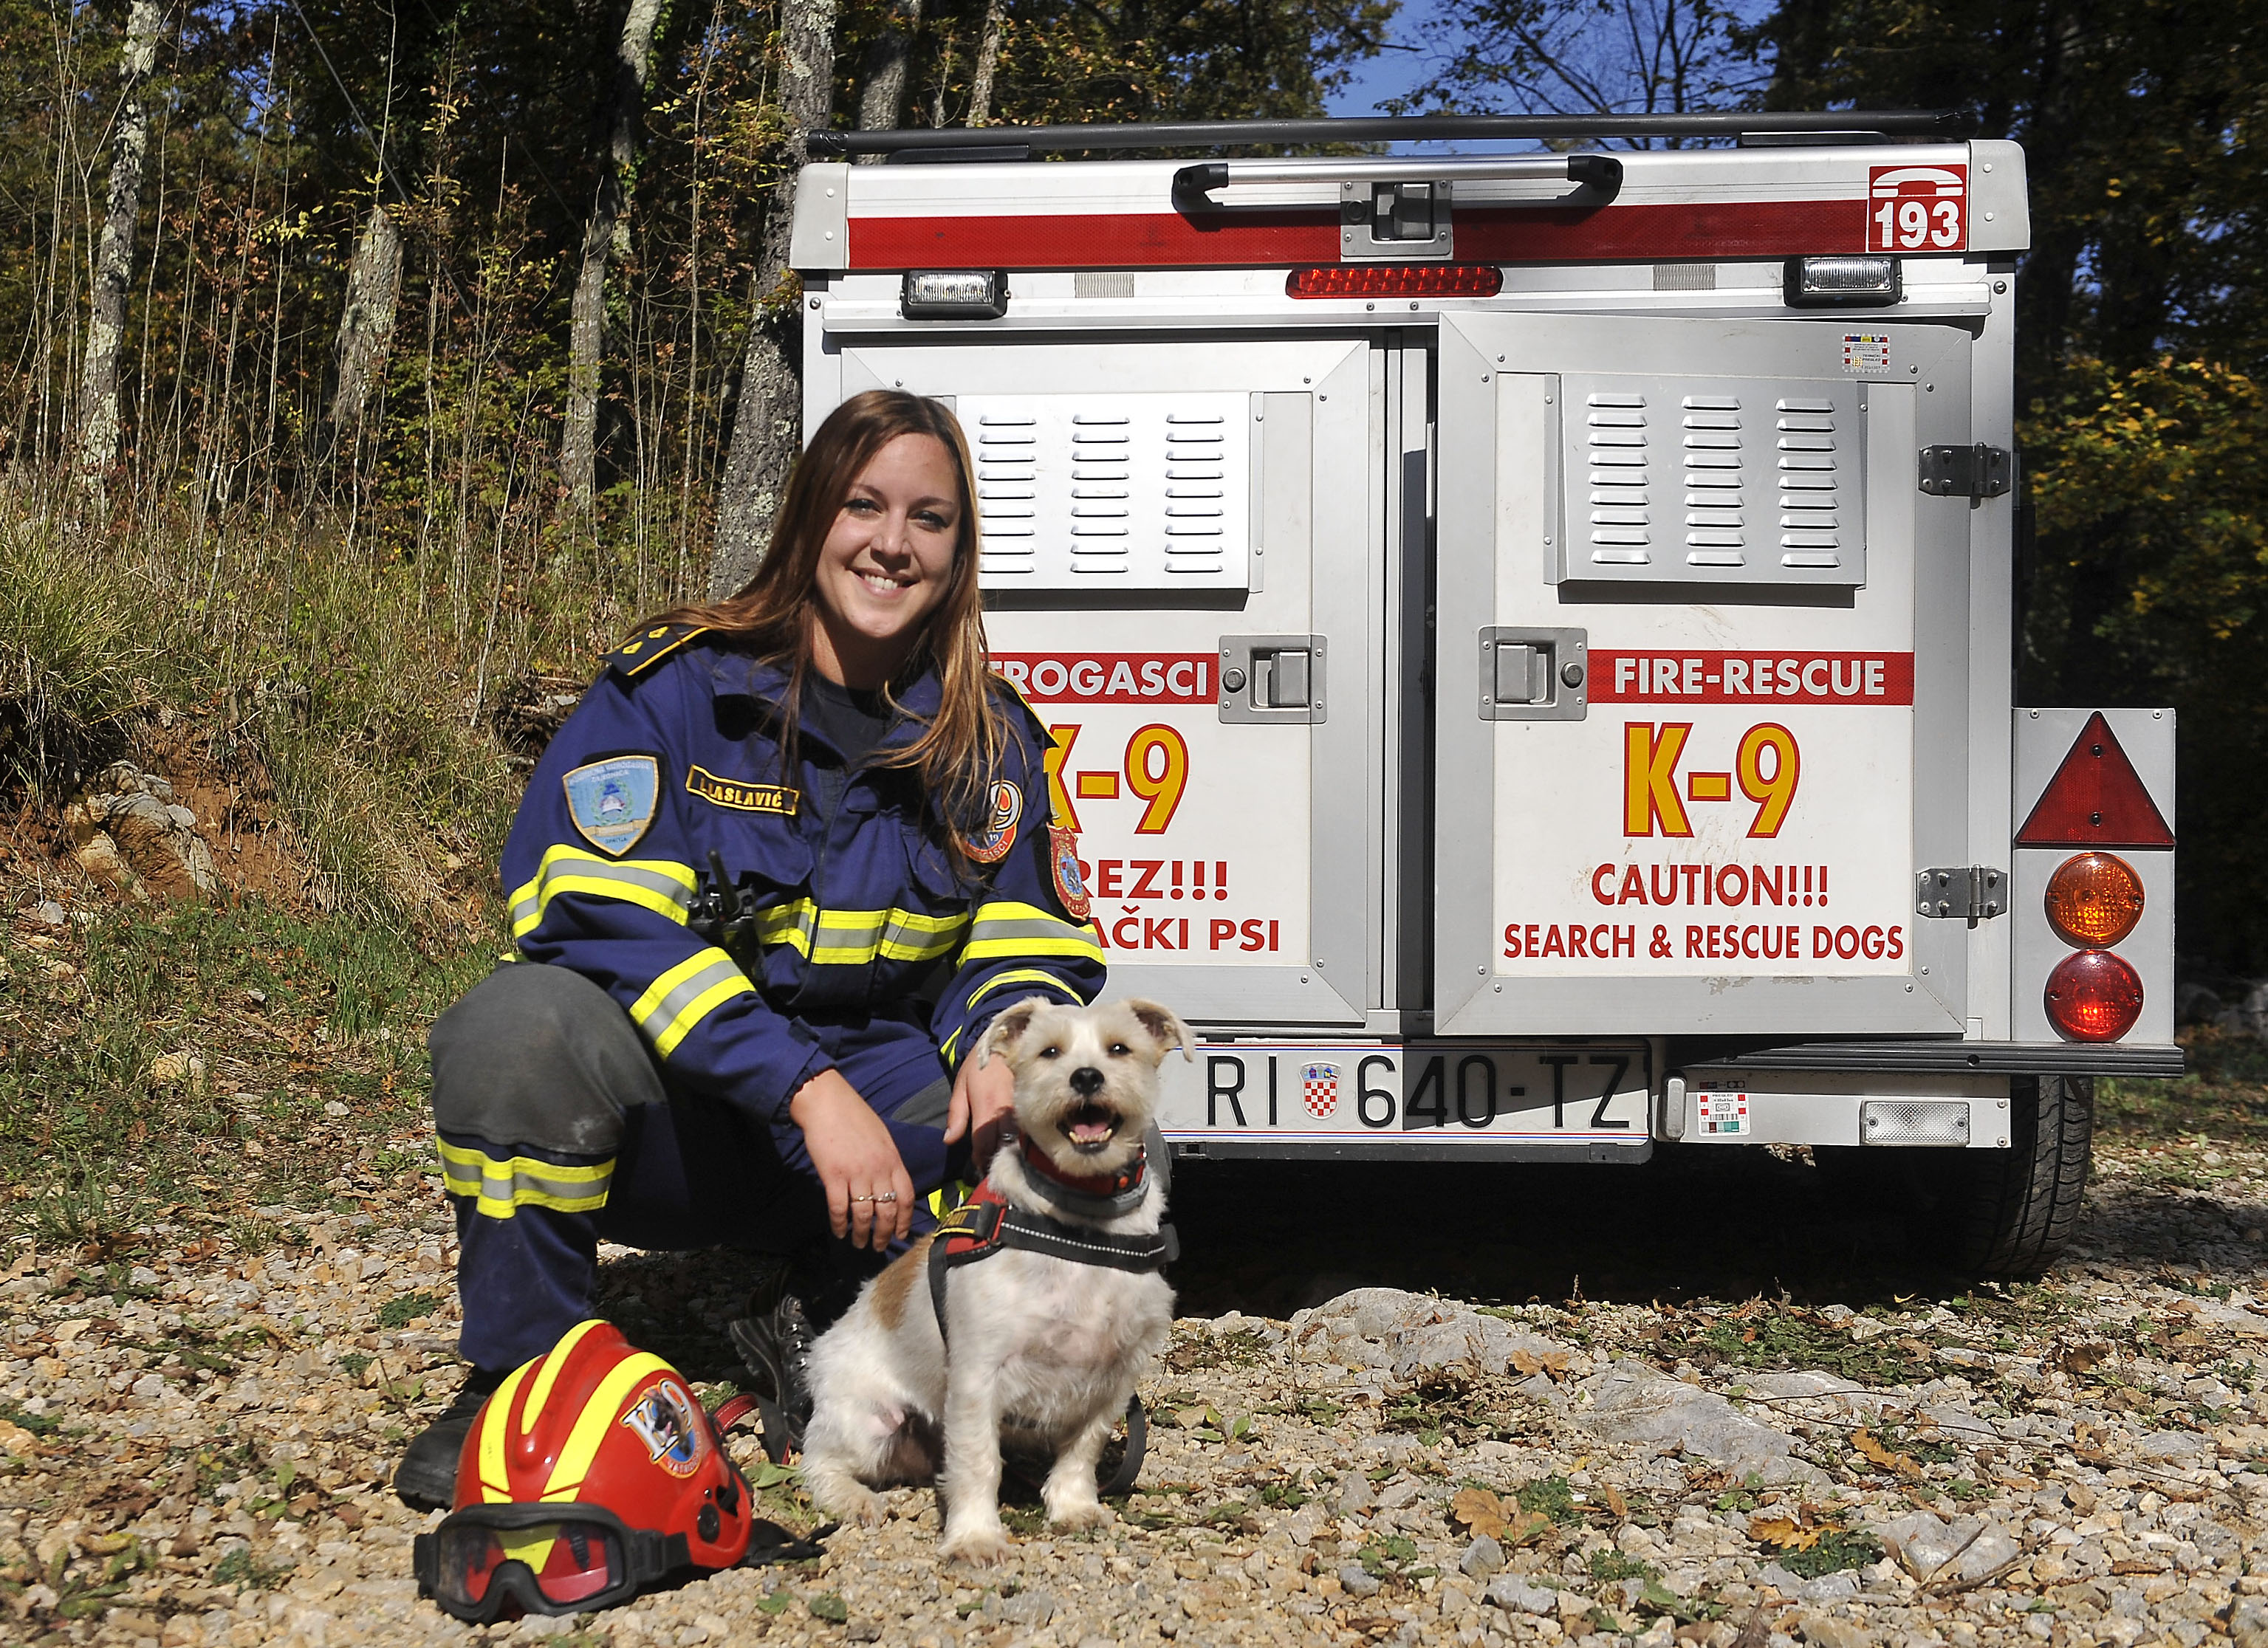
x: 775, y: 613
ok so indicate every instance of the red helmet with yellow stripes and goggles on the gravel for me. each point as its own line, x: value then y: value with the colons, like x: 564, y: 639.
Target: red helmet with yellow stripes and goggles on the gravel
x: 586, y: 1477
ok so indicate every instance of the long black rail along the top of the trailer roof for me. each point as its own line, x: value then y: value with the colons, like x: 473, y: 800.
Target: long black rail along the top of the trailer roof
x: 1004, y: 144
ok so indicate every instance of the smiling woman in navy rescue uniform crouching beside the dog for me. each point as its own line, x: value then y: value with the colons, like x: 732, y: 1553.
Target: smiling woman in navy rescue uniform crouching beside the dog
x: 779, y: 872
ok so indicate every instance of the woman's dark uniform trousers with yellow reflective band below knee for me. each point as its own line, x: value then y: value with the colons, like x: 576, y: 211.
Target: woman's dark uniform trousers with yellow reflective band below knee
x: 559, y: 1128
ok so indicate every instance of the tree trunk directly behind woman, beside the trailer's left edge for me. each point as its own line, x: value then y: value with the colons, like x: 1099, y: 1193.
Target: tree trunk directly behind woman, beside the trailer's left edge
x: 772, y: 368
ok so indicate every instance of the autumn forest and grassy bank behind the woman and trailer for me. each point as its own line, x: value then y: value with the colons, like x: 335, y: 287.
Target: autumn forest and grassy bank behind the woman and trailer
x: 373, y: 364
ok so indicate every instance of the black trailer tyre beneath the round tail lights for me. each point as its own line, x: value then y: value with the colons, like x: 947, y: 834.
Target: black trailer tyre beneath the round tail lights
x: 2015, y: 1209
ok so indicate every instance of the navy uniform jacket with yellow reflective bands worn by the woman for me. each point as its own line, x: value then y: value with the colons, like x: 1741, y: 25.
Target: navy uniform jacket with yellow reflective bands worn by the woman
x: 870, y: 951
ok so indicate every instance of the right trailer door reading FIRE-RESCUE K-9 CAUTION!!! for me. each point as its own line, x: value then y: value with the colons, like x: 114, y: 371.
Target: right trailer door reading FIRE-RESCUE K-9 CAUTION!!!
x: 1704, y: 677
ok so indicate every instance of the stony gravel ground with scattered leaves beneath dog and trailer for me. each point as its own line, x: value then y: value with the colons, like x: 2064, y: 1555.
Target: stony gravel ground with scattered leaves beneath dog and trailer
x: 196, y: 1447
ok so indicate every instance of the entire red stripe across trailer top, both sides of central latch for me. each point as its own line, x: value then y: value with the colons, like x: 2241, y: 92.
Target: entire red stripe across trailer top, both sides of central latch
x: 1244, y: 239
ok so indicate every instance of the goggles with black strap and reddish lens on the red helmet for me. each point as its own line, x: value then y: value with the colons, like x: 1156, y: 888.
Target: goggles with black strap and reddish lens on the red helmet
x: 545, y: 1558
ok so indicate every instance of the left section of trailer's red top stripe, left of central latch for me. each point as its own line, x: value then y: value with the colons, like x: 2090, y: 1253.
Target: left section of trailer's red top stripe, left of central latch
x: 1094, y: 241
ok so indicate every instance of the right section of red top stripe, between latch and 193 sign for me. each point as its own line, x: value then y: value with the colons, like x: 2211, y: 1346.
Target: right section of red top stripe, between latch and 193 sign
x: 1684, y: 230
